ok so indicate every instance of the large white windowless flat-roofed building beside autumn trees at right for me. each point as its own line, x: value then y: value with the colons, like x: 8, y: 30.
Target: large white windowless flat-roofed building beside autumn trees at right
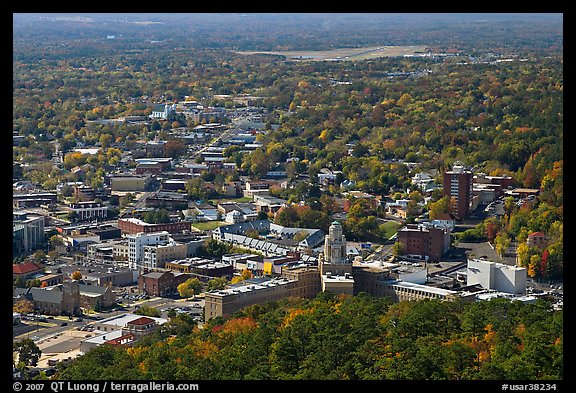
x: 496, y: 276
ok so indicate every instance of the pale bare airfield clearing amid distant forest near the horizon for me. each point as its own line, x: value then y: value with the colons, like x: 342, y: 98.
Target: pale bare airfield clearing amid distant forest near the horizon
x: 346, y: 53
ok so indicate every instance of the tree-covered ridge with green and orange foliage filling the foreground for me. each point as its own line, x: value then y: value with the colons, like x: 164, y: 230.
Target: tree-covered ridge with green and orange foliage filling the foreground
x: 345, y: 338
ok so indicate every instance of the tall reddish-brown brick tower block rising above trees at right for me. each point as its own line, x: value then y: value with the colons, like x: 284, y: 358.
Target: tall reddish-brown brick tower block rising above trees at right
x: 458, y: 186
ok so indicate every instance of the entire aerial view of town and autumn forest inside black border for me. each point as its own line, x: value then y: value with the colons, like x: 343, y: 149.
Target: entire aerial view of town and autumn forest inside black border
x: 287, y: 196
